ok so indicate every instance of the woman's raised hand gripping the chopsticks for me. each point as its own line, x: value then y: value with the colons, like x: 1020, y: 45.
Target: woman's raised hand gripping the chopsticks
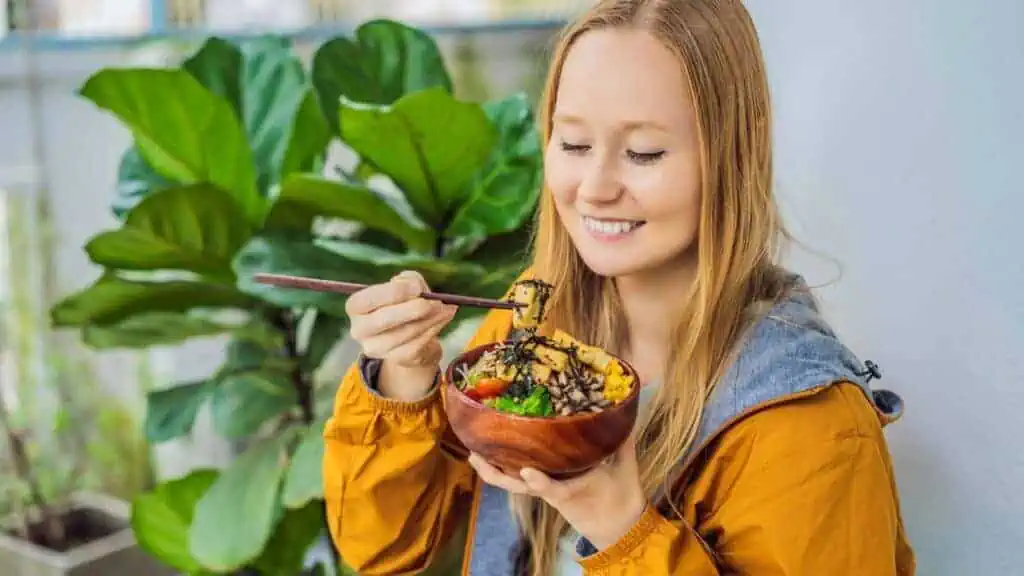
x: 393, y: 323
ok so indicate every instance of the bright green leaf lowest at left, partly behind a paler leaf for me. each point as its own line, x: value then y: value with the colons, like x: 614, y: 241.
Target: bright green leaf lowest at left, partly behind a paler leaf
x: 161, y: 519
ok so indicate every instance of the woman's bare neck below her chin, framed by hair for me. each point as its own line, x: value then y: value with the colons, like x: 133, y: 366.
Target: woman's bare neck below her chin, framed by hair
x: 653, y: 303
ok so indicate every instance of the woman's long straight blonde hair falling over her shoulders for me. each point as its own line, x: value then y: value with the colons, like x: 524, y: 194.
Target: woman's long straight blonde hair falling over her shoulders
x: 740, y: 233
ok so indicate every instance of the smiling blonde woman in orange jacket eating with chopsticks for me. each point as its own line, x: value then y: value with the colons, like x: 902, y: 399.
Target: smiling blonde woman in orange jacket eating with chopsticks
x: 761, y: 448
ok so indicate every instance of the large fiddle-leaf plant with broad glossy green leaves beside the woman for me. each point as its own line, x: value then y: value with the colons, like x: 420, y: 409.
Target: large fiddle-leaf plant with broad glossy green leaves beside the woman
x: 228, y: 178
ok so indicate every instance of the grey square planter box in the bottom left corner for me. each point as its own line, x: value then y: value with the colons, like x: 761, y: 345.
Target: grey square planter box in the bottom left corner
x: 116, y: 554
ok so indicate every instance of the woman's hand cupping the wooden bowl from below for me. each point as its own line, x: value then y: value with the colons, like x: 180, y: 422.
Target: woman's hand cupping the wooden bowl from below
x: 603, y: 505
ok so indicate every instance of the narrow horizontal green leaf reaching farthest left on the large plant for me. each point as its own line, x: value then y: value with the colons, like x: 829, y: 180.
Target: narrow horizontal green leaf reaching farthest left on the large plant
x: 113, y: 299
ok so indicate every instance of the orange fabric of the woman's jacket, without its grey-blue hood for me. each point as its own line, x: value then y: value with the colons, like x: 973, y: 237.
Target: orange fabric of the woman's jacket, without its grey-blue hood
x: 803, y: 486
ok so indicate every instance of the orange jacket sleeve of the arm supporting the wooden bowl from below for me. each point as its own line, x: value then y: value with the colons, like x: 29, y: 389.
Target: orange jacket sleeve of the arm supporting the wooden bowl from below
x: 802, y: 488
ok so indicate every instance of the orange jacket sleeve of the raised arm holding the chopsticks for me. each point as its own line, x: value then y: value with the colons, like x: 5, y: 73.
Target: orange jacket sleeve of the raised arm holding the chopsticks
x: 394, y: 491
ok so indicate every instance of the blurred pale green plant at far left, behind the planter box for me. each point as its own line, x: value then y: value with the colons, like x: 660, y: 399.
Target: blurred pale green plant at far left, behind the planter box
x: 63, y: 434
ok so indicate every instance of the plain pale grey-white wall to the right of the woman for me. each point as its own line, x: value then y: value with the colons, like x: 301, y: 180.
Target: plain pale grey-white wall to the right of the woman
x: 899, y: 132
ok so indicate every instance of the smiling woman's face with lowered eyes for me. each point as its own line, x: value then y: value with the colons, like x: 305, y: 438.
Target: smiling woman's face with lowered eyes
x: 623, y: 161
